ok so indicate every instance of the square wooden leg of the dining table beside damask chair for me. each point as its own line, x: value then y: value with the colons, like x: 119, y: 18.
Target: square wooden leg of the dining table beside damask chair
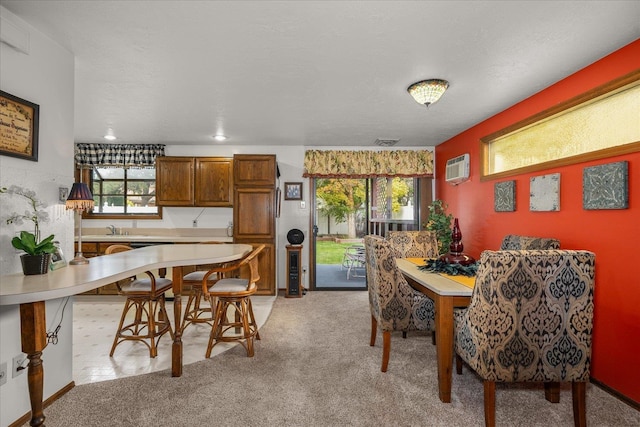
x: 444, y: 345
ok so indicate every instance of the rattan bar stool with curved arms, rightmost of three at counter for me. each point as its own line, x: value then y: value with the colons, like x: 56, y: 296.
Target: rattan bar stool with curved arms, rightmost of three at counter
x: 231, y: 292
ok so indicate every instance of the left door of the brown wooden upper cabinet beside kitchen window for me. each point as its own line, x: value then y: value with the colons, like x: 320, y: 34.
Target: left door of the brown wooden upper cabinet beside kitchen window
x: 175, y: 181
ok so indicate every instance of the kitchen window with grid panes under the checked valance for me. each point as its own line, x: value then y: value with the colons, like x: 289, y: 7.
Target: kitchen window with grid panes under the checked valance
x: 123, y: 193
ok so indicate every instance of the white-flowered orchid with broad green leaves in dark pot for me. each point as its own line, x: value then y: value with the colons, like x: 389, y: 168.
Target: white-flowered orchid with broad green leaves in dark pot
x: 29, y: 242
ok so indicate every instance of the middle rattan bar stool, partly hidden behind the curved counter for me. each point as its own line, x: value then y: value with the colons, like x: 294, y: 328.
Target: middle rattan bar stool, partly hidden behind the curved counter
x: 195, y: 311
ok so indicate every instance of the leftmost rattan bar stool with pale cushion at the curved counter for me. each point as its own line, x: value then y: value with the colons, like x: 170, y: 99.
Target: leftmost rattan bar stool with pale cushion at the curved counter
x: 146, y: 299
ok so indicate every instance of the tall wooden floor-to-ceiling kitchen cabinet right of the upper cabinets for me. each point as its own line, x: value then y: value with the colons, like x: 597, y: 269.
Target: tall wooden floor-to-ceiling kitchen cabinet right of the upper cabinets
x: 254, y: 212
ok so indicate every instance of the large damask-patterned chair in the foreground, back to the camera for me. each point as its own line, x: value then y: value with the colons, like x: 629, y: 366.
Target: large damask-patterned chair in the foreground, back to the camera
x: 530, y: 320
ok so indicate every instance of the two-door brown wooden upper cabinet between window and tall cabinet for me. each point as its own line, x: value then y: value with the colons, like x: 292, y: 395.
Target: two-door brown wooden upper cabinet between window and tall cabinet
x: 194, y: 181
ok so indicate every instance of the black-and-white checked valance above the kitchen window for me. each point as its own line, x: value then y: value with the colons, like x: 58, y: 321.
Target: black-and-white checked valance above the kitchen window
x: 117, y: 155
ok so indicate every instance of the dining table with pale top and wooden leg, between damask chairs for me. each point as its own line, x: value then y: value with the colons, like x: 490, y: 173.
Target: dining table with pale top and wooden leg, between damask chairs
x: 446, y: 294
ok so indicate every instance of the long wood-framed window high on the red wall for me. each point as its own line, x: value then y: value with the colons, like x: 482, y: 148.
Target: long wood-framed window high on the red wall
x: 599, y: 124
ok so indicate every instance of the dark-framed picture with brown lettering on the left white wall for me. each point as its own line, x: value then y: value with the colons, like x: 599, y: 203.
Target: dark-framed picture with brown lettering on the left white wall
x: 19, y: 133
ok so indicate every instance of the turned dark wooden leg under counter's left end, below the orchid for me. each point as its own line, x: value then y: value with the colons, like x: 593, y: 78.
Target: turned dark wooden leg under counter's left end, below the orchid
x: 33, y: 328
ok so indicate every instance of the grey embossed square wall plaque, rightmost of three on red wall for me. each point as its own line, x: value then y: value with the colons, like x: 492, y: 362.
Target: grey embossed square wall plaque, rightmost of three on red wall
x: 606, y: 186
